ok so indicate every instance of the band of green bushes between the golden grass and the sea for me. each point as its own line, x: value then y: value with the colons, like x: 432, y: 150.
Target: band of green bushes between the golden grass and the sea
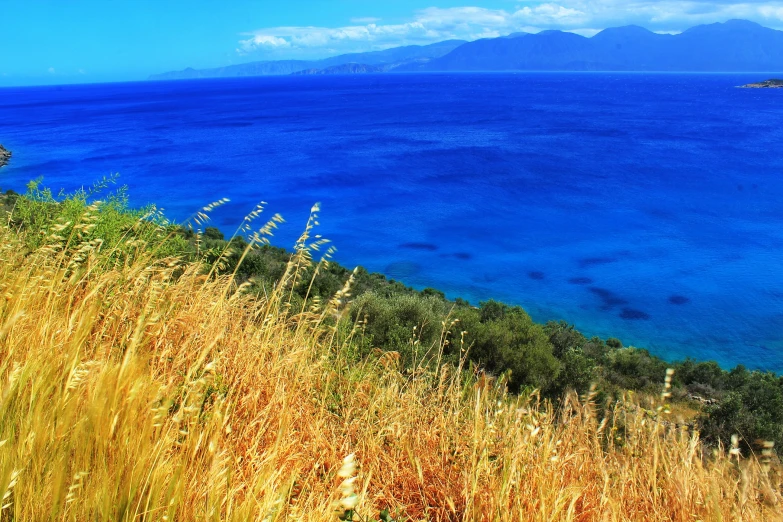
x: 425, y: 327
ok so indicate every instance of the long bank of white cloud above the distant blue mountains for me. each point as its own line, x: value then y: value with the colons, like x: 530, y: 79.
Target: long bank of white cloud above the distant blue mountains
x: 435, y: 24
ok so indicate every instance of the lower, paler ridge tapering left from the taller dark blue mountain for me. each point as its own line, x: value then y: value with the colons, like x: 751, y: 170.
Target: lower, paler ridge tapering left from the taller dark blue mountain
x: 389, y: 58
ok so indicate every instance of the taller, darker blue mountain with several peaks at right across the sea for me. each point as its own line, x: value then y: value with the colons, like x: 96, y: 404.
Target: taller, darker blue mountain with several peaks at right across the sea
x: 736, y: 45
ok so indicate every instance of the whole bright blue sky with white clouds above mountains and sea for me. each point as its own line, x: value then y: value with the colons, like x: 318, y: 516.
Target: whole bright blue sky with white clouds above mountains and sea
x: 74, y: 41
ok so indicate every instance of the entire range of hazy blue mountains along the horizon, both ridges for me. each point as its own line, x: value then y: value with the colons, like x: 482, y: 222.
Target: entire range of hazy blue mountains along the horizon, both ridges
x: 733, y: 46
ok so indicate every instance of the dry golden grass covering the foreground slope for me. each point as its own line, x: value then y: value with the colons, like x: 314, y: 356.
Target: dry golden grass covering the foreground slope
x: 132, y: 394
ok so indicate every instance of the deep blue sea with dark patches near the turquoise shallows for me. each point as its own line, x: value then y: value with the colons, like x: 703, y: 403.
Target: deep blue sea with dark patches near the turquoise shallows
x: 646, y: 207
